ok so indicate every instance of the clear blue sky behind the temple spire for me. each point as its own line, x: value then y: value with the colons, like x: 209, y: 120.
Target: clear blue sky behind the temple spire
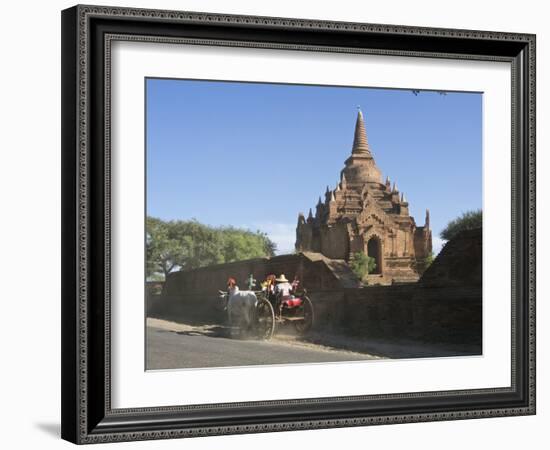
x: 254, y: 155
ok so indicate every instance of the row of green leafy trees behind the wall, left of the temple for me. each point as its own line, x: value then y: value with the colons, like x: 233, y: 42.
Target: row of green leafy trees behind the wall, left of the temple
x: 178, y: 244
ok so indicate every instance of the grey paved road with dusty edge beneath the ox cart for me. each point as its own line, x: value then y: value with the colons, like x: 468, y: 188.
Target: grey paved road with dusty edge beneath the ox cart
x: 180, y: 346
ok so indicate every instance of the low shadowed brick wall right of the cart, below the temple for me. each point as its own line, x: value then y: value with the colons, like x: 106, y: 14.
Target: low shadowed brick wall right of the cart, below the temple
x: 443, y: 314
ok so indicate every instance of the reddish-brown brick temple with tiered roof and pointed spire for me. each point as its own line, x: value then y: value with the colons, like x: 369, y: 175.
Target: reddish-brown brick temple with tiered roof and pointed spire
x: 365, y: 214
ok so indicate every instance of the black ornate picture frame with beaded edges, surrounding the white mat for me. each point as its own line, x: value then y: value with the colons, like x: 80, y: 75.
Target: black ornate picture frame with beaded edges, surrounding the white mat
x: 87, y: 34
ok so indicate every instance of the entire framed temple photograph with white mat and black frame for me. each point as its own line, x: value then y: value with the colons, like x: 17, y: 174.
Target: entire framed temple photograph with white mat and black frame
x: 281, y: 224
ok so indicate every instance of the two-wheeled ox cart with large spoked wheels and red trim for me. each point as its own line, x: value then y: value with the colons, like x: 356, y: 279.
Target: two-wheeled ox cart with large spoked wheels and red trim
x: 271, y: 312
